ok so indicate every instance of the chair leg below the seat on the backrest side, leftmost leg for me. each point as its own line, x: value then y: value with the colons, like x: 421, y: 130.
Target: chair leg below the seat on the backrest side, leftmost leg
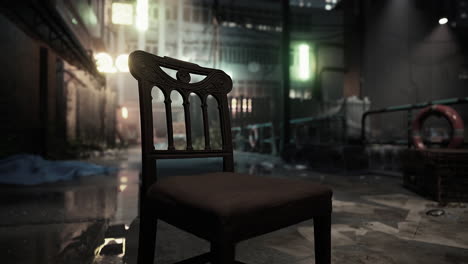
x: 147, y: 237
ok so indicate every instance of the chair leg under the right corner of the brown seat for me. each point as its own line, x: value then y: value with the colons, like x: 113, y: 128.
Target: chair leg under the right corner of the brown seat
x: 322, y: 237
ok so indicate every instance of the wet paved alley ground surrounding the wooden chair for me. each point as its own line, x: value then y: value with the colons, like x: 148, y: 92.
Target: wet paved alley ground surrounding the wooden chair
x: 375, y: 220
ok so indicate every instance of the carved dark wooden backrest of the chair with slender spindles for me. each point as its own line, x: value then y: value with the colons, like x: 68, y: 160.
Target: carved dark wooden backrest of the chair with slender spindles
x: 147, y: 69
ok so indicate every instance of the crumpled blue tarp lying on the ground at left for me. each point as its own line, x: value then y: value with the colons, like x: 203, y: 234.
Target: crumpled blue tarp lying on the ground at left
x: 31, y: 169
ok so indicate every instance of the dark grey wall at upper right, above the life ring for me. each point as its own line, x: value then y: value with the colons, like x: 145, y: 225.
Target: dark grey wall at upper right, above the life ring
x: 408, y: 56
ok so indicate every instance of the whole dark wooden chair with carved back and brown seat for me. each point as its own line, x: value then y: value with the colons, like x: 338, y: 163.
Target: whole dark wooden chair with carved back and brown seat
x: 223, y: 208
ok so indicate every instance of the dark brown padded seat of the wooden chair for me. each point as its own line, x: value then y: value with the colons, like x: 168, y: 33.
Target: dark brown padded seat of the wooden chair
x: 237, y: 206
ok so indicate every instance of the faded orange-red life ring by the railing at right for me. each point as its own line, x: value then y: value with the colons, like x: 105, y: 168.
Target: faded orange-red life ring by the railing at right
x: 450, y: 114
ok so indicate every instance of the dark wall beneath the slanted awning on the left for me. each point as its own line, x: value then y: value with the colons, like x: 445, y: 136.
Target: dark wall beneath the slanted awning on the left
x: 49, y: 106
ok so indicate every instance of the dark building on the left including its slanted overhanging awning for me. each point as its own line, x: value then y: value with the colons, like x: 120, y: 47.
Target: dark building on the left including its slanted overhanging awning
x: 52, y: 95
